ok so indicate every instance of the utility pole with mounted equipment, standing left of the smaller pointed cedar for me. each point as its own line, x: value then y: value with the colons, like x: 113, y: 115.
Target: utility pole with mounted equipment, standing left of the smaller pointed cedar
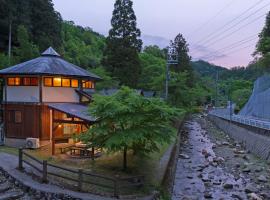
x: 172, y: 59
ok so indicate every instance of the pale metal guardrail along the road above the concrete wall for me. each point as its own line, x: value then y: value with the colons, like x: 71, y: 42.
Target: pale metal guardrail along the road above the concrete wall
x: 243, y: 120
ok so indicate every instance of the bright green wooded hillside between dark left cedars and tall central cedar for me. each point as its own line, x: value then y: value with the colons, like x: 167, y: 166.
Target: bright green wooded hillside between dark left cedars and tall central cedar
x: 82, y: 46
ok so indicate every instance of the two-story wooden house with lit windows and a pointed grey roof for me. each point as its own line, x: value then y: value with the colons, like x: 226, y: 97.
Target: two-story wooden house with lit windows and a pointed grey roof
x: 46, y: 99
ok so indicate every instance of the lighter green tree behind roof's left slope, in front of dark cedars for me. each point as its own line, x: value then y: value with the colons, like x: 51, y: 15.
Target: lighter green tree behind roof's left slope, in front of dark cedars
x: 26, y: 49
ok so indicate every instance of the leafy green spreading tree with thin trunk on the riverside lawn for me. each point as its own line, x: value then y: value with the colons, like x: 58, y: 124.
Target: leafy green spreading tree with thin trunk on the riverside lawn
x: 128, y: 121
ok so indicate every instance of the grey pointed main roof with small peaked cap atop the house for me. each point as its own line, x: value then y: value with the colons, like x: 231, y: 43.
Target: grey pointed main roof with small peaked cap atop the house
x: 50, y: 63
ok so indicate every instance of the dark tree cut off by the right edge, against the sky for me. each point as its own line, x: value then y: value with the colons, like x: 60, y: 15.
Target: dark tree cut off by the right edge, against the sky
x: 263, y: 45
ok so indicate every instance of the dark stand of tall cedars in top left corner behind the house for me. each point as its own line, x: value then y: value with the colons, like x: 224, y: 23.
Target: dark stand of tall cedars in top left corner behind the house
x: 39, y: 18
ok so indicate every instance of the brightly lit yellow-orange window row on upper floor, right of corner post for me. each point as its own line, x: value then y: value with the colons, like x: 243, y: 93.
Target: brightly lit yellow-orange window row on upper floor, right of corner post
x: 60, y: 82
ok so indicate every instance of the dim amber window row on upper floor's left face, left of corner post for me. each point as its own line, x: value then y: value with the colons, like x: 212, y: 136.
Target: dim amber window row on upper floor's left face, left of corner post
x: 22, y: 81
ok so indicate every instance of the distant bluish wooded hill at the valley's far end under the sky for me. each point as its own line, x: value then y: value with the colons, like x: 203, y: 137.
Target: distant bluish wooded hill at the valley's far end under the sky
x: 204, y: 68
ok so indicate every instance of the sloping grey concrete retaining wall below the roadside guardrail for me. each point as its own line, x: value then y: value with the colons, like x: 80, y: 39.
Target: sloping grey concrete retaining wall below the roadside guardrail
x: 252, y: 138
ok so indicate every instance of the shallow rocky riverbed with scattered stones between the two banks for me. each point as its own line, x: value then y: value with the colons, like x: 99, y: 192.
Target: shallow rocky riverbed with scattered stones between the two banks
x: 213, y: 166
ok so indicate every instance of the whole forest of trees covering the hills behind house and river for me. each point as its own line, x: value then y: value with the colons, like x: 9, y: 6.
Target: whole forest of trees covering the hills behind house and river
x: 121, y: 59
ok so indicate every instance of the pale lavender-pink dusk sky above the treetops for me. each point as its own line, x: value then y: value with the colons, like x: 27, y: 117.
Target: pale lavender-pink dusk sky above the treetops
x: 211, y: 27
